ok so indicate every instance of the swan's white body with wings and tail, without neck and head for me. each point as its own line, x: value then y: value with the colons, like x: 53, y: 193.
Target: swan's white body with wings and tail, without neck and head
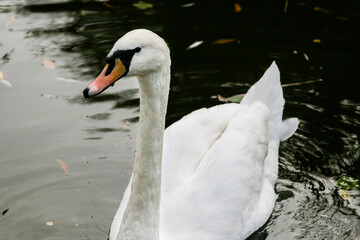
x: 220, y: 165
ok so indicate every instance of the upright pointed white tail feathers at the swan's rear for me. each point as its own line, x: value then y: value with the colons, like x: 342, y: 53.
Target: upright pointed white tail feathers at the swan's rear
x: 269, y: 91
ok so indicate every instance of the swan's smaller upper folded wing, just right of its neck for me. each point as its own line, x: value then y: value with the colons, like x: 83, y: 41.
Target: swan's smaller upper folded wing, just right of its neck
x: 187, y: 141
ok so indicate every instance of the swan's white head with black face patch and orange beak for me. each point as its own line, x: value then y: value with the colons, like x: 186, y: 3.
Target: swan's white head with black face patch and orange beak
x: 138, y: 53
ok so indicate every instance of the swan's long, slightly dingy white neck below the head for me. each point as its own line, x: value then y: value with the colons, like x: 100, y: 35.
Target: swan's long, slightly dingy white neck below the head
x: 141, y: 216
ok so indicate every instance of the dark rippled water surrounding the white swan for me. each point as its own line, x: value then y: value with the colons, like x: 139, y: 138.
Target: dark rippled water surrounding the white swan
x: 43, y: 116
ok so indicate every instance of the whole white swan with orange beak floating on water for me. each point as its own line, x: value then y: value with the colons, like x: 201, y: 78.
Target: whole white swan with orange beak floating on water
x: 209, y: 176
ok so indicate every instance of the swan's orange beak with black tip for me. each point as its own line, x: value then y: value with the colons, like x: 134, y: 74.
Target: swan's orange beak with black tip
x: 103, y: 81
